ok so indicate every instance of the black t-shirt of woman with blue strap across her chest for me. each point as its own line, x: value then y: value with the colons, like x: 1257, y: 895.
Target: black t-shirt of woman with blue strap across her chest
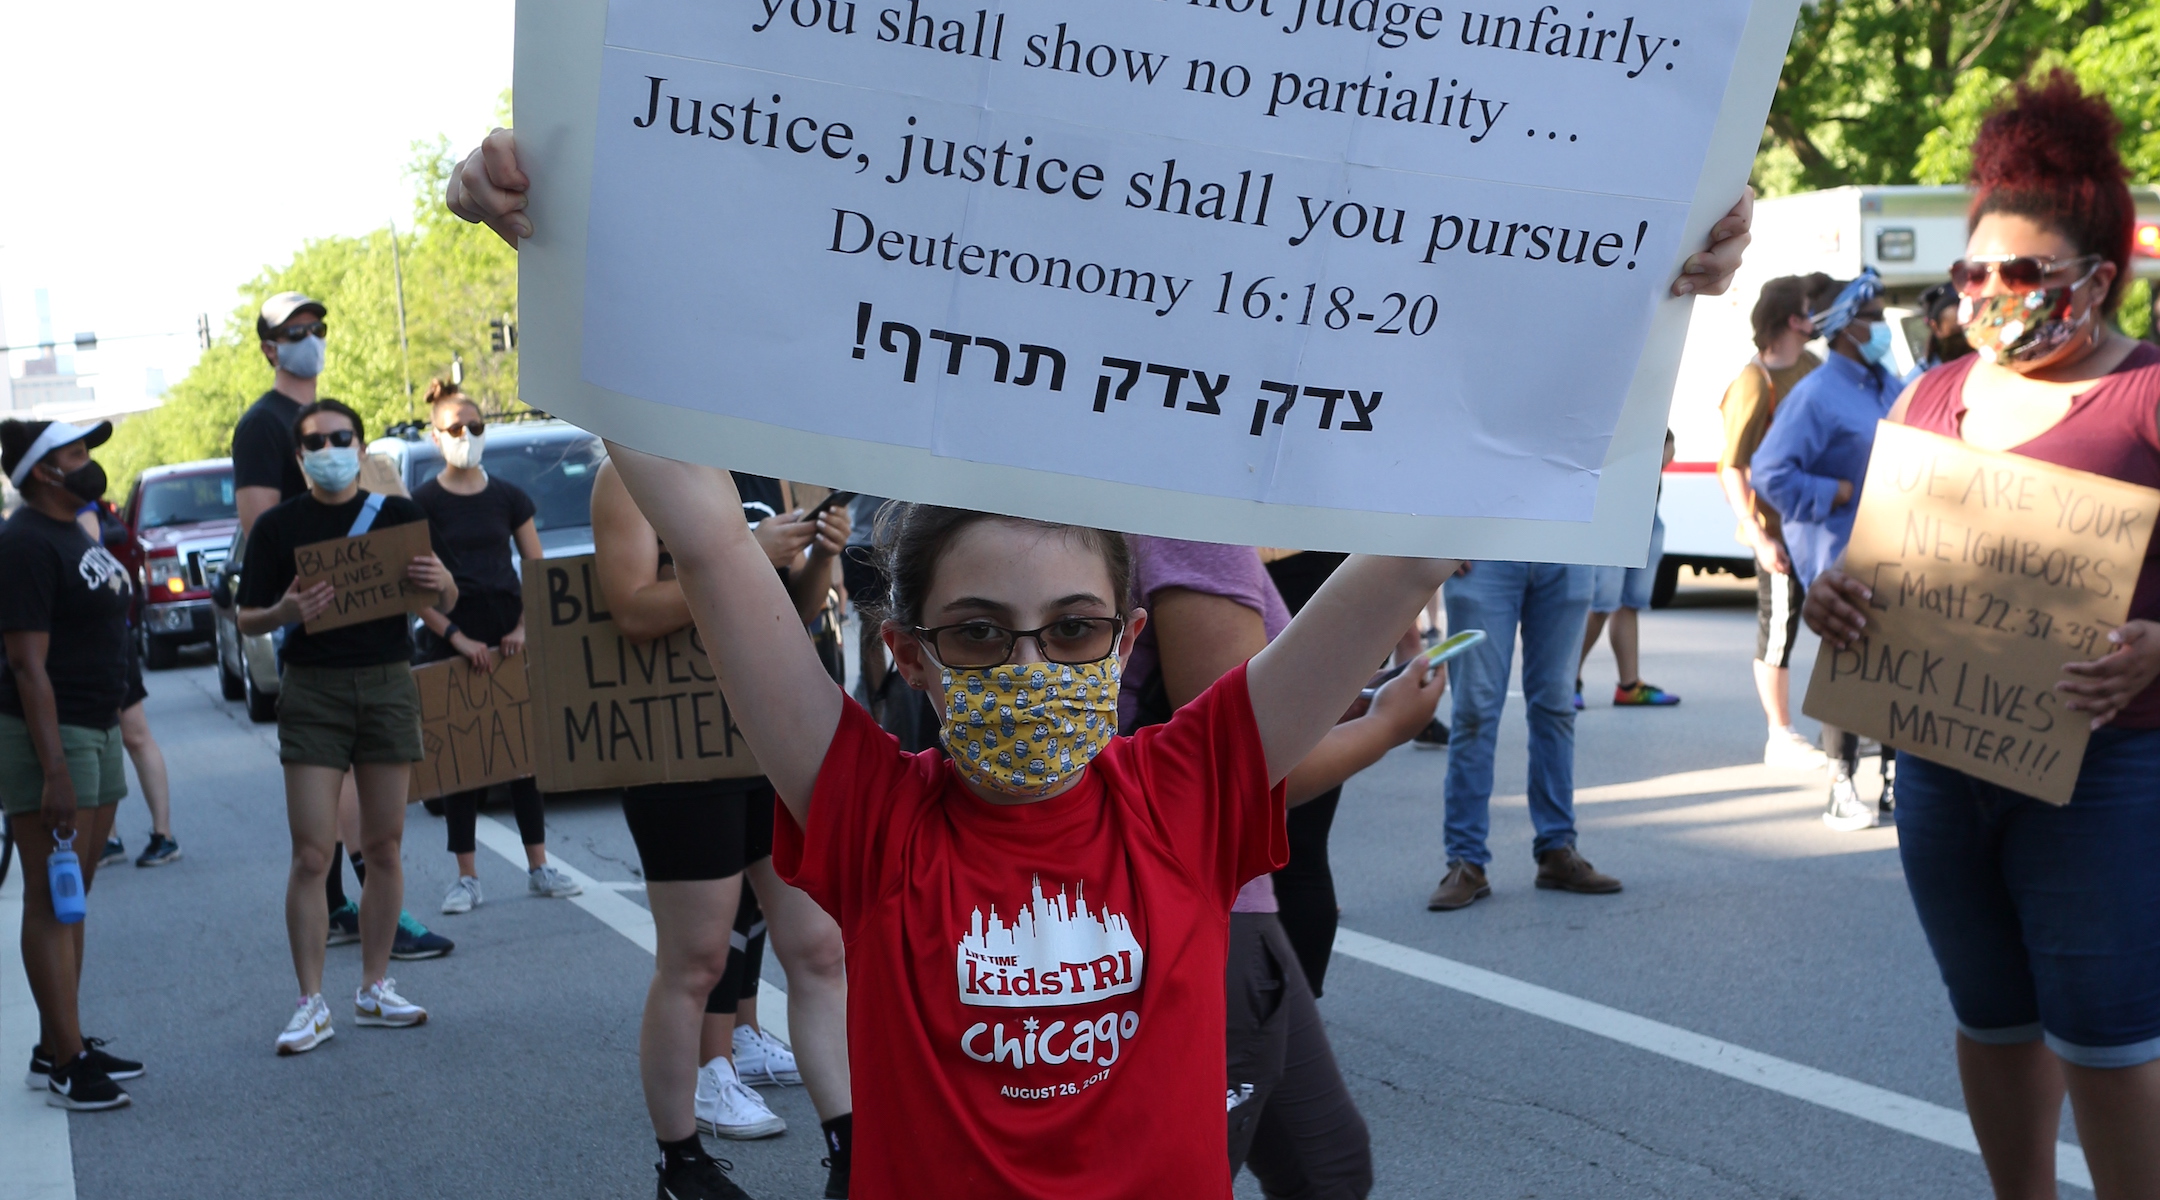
x: 269, y: 571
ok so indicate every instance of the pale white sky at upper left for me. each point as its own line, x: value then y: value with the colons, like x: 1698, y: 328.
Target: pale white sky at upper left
x: 163, y: 154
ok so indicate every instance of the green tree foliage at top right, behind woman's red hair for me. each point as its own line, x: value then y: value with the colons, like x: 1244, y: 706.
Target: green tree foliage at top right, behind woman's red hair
x: 1891, y: 92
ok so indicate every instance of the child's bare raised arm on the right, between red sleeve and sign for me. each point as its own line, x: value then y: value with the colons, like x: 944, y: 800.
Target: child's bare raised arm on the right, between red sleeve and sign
x: 1304, y: 681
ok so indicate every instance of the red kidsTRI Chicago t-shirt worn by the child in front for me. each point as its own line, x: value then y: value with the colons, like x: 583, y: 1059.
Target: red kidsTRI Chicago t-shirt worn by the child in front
x: 1036, y: 992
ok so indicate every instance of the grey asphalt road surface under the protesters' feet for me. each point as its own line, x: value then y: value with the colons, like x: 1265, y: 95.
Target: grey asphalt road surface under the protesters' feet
x: 1744, y: 921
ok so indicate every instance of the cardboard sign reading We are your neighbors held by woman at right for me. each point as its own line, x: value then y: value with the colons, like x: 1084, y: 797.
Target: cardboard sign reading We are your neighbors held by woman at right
x: 1990, y: 571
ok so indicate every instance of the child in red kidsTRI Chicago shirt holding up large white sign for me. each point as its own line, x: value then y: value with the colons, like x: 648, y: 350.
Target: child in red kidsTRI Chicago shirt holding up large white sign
x: 1038, y: 914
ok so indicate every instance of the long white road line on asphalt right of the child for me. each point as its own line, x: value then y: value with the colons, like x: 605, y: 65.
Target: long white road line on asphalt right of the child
x: 1837, y: 1093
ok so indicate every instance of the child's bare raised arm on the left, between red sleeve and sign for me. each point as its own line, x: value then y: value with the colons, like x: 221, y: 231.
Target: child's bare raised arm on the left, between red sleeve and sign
x: 777, y: 687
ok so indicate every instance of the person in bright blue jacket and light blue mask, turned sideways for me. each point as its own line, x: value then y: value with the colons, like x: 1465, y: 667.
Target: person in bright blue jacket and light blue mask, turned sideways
x: 1811, y: 467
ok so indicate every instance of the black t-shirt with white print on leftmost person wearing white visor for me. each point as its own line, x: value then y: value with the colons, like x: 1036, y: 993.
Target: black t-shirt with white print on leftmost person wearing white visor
x: 57, y: 582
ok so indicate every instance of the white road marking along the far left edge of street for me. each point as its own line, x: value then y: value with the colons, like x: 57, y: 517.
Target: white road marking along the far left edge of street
x: 33, y: 1134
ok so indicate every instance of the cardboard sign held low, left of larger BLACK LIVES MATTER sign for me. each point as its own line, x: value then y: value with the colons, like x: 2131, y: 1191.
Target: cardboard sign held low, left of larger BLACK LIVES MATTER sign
x: 476, y: 728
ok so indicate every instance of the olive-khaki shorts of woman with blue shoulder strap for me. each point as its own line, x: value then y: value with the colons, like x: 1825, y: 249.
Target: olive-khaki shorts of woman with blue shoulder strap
x: 347, y: 715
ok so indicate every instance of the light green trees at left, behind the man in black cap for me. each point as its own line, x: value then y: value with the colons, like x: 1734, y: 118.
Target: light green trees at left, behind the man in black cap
x: 457, y: 279
